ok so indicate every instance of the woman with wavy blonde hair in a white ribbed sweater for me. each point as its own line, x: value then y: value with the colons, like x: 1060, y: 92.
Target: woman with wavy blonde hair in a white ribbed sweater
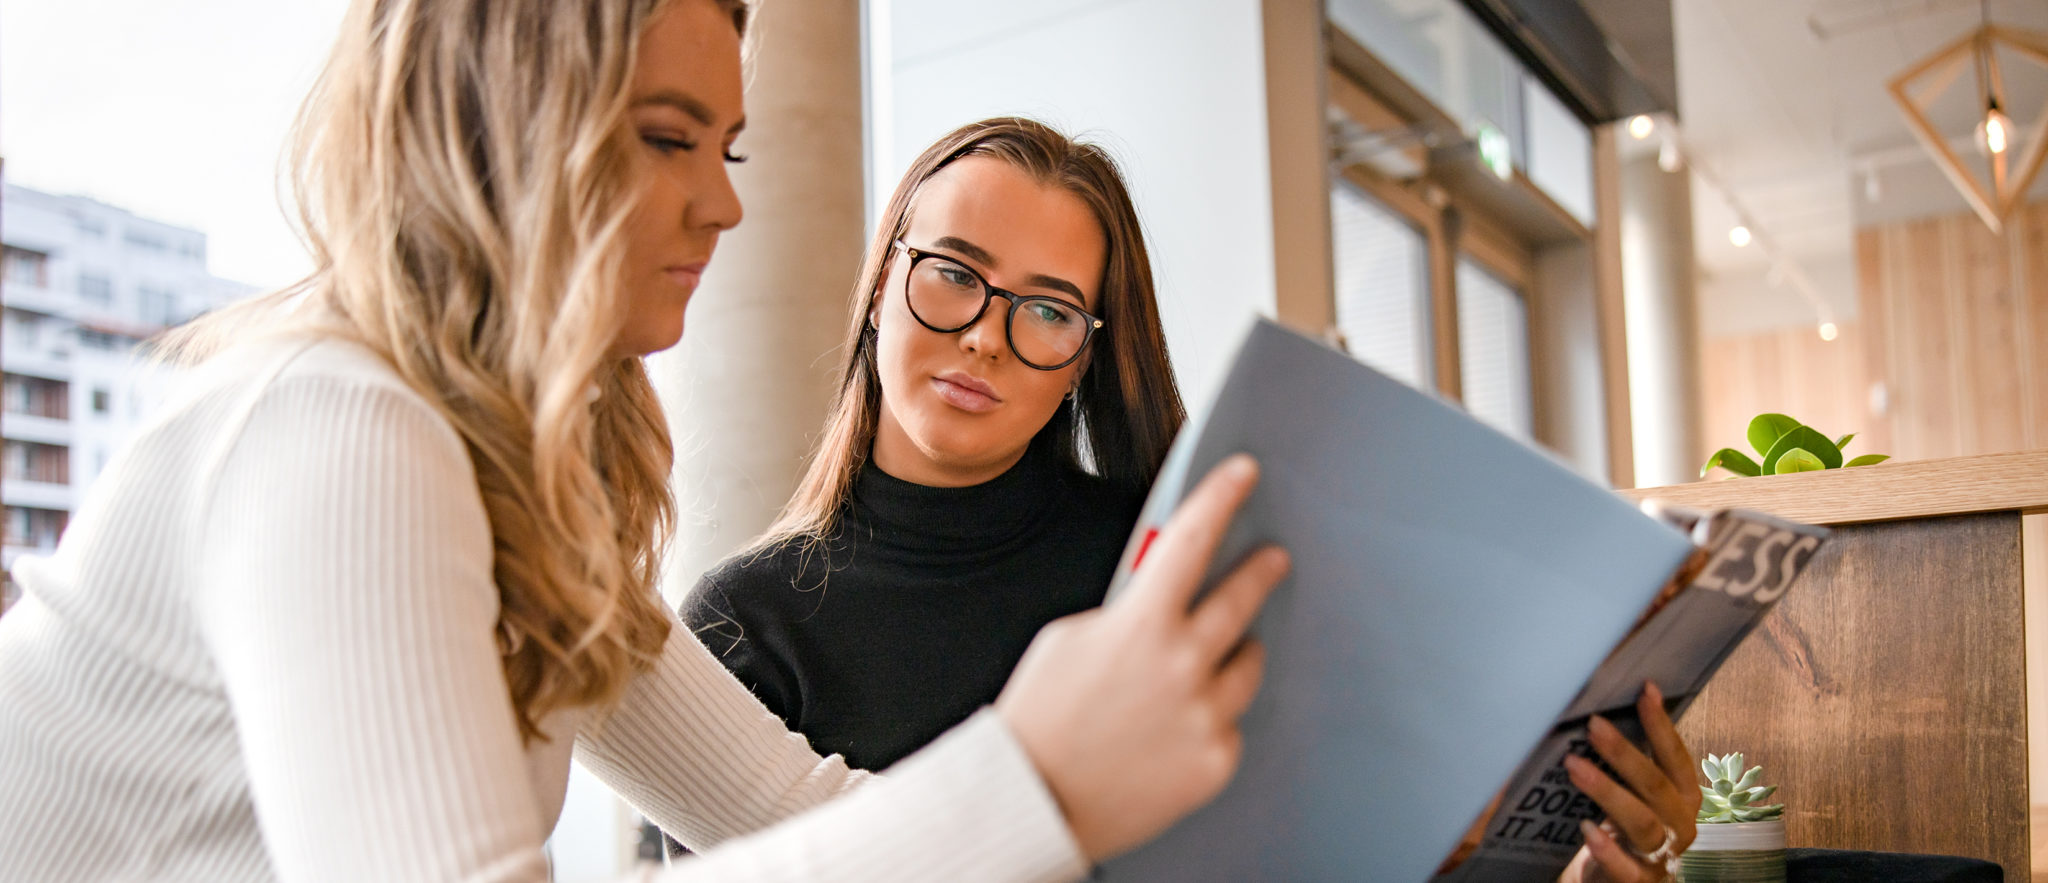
x: 345, y: 612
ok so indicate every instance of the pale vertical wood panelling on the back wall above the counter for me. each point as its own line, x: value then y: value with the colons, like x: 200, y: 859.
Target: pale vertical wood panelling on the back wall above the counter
x: 1953, y: 323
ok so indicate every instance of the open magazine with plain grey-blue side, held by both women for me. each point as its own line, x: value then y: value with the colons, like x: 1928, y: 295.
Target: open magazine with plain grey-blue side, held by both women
x: 1461, y: 603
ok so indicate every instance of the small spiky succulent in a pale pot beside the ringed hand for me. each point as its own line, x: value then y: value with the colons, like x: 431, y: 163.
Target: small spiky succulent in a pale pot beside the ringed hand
x: 1742, y: 839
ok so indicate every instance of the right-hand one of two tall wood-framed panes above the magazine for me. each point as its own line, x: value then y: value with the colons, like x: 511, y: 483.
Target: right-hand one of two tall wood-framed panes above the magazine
x: 1494, y: 351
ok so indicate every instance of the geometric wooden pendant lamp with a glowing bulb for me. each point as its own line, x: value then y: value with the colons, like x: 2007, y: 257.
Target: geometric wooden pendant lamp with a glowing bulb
x: 2012, y: 165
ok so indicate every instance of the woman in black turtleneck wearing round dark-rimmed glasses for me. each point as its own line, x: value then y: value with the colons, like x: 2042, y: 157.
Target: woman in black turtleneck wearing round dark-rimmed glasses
x: 1005, y: 405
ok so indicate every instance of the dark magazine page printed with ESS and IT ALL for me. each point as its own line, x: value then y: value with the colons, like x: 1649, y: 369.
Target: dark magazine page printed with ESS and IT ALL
x: 1746, y: 562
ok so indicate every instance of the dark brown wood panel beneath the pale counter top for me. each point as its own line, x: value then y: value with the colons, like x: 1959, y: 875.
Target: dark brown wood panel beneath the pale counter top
x: 1887, y: 679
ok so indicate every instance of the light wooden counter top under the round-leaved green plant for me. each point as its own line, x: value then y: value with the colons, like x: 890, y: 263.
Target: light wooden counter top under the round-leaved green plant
x: 1879, y: 493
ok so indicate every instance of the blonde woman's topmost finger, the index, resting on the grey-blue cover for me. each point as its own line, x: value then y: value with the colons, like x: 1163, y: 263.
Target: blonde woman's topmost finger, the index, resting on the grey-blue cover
x: 1175, y: 566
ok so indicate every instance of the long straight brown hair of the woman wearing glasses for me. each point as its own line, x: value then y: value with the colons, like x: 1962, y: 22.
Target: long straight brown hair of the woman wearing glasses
x: 1123, y: 415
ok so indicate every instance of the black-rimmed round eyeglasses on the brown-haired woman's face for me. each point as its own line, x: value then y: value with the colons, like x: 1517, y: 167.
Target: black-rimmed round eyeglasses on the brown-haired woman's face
x: 947, y: 296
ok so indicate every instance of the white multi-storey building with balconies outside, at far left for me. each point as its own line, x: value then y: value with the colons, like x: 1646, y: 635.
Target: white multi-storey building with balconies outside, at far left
x: 83, y: 284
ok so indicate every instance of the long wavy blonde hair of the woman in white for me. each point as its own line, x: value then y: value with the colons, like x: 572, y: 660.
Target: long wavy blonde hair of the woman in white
x: 464, y: 177
